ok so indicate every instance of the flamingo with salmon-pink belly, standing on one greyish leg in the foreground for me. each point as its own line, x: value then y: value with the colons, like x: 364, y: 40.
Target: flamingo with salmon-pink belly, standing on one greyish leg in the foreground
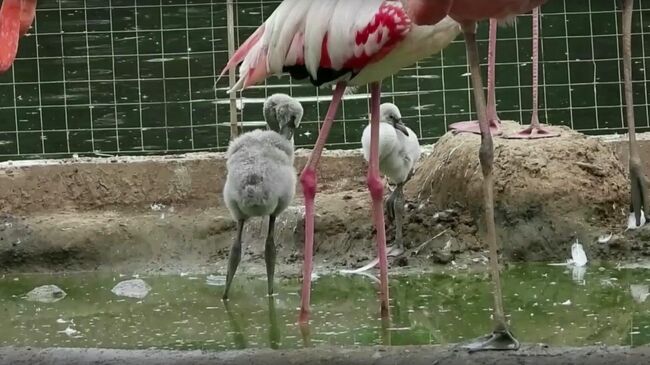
x: 468, y: 13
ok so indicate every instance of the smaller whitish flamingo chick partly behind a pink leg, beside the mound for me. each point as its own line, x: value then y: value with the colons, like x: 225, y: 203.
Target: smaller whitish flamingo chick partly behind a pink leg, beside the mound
x: 399, y: 150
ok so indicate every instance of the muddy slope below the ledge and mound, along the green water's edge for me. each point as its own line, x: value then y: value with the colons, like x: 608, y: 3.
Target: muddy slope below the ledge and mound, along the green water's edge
x: 173, y: 240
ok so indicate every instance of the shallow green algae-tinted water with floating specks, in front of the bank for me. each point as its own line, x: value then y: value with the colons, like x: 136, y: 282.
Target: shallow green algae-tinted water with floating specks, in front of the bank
x: 546, y: 304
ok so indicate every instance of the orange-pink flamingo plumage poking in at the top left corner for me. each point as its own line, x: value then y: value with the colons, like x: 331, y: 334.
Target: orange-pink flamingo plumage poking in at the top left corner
x: 16, y: 17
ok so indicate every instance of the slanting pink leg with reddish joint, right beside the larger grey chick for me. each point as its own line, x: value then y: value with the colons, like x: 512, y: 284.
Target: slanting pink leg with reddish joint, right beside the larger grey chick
x: 308, y: 182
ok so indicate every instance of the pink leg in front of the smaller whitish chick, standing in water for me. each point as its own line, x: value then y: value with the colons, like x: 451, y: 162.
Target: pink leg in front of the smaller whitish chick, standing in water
x: 376, y: 188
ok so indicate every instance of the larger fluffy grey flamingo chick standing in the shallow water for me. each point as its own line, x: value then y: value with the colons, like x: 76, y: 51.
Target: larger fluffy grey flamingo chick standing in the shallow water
x: 261, y: 179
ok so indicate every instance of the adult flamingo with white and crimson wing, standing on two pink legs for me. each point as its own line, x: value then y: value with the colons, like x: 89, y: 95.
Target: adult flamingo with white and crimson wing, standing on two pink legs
x: 347, y: 43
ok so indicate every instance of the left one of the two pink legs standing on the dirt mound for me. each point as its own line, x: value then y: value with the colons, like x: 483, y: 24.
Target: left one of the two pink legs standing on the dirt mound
x: 493, y: 119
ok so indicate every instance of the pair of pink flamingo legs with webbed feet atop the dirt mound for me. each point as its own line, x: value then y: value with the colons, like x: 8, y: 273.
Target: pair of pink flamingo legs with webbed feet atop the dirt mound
x: 535, y: 130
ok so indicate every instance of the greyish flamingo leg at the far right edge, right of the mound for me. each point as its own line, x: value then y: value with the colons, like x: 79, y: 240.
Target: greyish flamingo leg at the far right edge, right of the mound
x: 640, y: 202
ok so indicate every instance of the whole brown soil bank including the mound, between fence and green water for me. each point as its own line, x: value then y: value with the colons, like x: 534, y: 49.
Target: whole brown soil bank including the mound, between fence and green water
x: 165, y: 214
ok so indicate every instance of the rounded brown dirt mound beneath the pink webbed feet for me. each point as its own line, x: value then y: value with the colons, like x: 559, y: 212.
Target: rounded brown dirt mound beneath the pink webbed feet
x: 547, y: 191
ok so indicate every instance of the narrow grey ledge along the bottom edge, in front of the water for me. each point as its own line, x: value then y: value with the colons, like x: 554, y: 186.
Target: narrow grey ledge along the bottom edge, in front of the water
x: 533, y: 355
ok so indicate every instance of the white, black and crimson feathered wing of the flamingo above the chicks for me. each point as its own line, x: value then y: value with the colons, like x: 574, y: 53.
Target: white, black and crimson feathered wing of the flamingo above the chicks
x: 325, y: 41
